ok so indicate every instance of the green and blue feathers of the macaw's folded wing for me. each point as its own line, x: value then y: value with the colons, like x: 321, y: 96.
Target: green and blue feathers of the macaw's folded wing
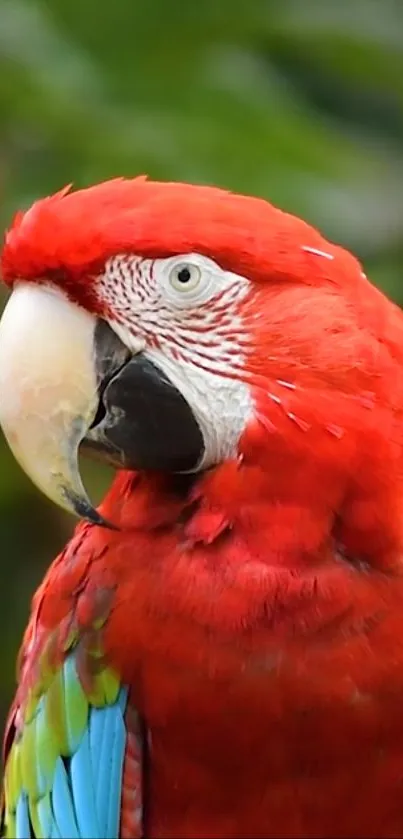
x: 64, y: 770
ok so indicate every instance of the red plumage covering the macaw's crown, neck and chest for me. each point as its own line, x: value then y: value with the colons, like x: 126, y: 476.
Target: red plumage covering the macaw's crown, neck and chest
x: 257, y: 613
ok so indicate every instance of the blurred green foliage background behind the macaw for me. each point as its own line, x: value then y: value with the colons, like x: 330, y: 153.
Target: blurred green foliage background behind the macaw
x: 300, y: 101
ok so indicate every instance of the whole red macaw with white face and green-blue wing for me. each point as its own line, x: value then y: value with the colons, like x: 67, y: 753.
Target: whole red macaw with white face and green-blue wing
x: 217, y: 653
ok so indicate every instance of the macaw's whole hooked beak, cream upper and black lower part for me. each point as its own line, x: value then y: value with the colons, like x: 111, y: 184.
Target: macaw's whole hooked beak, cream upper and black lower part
x: 66, y: 379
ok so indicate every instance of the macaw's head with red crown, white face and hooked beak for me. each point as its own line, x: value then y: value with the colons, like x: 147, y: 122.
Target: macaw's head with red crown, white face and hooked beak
x: 173, y: 327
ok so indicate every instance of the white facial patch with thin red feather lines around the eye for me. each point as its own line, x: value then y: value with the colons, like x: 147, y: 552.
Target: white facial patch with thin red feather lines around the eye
x: 184, y: 313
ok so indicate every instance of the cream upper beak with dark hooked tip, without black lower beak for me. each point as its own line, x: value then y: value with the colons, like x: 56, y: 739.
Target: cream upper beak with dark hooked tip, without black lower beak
x: 49, y: 388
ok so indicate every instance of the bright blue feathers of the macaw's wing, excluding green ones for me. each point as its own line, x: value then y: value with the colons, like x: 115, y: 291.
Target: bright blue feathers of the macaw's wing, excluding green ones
x: 80, y: 796
